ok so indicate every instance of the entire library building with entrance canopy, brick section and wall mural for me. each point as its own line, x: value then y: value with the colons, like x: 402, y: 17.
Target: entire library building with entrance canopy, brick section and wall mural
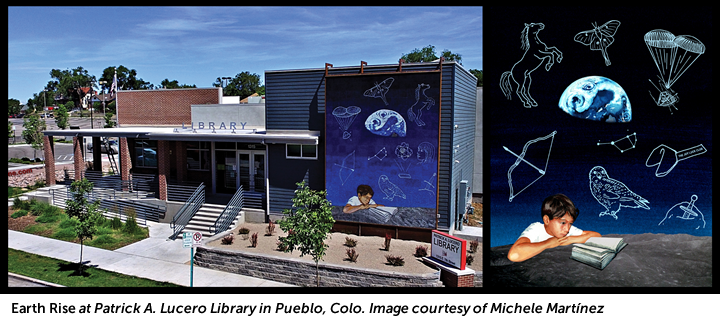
x: 406, y: 132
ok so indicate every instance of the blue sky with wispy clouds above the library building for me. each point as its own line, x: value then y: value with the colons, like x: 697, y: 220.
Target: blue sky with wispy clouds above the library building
x: 195, y: 45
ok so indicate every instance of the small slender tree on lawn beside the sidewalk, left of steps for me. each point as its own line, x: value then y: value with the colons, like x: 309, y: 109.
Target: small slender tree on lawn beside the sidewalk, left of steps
x: 86, y: 213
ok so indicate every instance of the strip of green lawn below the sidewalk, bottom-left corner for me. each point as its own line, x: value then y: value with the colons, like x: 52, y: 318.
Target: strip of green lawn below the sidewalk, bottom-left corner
x: 66, y: 273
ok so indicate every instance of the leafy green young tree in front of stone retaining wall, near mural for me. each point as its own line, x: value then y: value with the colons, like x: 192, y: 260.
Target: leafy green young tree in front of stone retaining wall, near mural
x: 308, y: 224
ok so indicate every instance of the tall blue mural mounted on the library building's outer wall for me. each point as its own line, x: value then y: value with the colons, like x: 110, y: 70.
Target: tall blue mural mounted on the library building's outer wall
x: 381, y: 153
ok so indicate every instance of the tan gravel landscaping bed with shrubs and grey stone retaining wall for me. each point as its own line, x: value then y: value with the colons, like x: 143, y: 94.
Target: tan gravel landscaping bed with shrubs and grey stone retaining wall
x: 371, y: 268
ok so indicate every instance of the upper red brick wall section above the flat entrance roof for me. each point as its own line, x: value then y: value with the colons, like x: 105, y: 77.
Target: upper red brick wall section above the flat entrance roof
x: 168, y: 107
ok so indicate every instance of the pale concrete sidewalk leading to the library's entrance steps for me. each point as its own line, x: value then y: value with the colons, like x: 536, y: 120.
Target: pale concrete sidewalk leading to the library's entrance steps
x: 155, y: 258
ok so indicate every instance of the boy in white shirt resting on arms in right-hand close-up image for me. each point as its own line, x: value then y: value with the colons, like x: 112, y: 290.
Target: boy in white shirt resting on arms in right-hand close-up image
x: 558, y: 214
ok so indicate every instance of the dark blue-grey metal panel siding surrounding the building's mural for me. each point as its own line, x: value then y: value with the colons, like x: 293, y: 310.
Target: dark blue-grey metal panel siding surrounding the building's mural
x: 295, y: 100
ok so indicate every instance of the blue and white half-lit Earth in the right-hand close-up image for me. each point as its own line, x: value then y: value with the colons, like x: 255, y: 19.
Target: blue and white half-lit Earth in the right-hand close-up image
x: 596, y: 98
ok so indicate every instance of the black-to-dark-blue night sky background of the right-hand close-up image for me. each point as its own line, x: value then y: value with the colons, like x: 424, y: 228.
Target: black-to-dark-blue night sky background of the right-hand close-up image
x: 663, y: 154
